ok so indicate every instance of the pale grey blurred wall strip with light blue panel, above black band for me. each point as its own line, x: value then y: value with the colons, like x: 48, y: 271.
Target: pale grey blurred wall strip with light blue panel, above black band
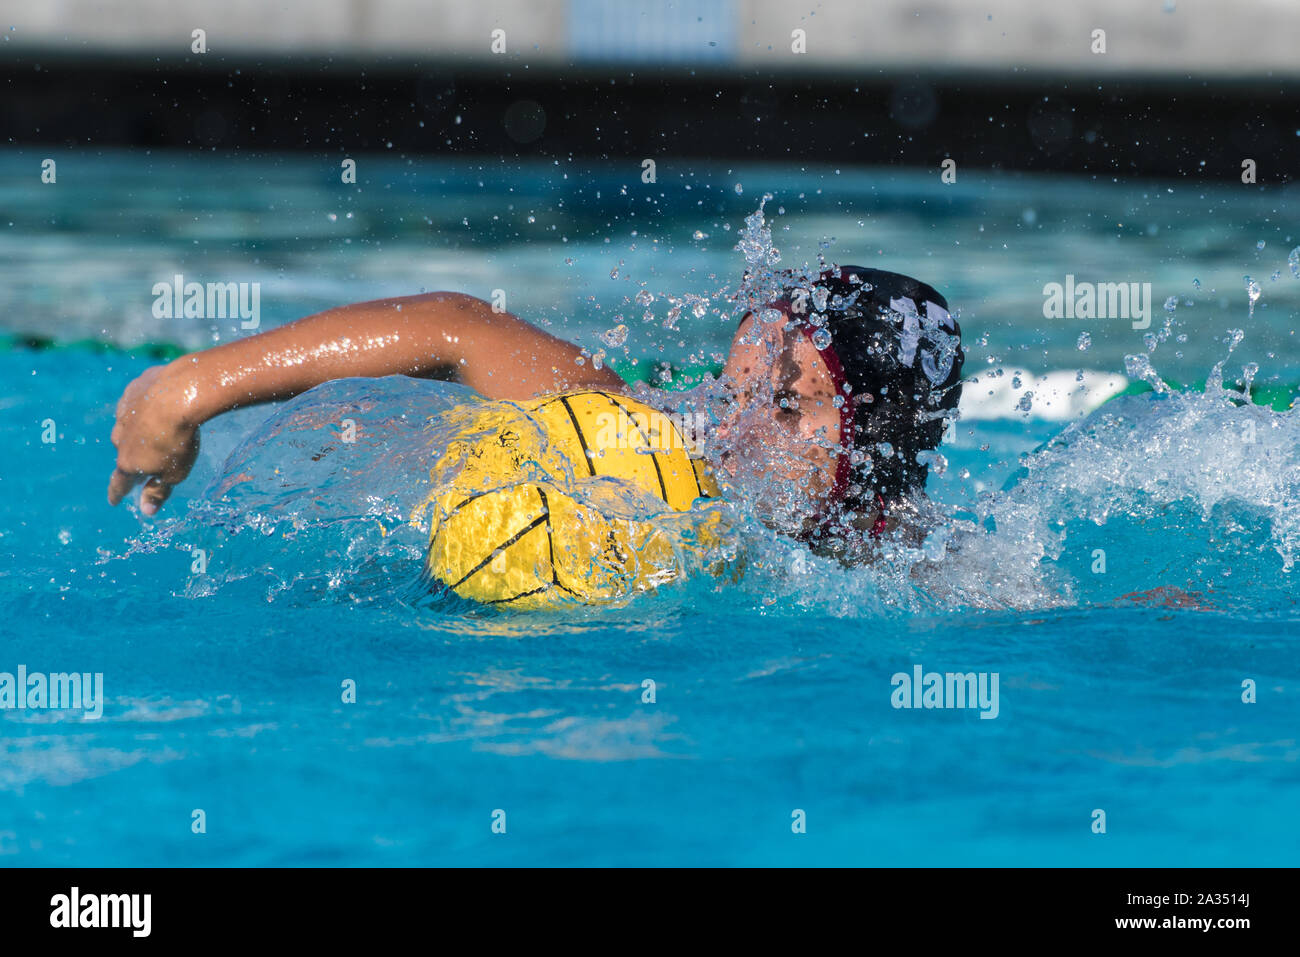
x: 1149, y: 37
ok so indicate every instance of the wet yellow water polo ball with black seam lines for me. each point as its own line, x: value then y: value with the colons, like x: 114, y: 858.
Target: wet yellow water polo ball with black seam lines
x: 579, y: 497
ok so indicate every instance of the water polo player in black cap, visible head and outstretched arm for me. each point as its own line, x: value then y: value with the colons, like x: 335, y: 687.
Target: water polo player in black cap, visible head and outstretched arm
x: 835, y: 391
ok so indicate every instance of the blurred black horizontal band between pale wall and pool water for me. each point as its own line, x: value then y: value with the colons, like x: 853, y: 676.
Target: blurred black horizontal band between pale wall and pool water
x: 1202, y: 129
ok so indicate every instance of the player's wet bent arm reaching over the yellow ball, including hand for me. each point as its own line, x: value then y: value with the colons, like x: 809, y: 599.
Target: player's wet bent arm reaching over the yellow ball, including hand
x: 434, y: 336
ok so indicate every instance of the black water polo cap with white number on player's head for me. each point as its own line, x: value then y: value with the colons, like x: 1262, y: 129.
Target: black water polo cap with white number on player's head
x: 896, y: 356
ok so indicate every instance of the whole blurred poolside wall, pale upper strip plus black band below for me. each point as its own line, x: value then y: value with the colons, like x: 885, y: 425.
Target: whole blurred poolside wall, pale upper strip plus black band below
x: 1182, y: 86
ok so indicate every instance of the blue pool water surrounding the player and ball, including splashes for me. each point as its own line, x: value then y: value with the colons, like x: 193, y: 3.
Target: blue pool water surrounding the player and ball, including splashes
x: 1120, y: 690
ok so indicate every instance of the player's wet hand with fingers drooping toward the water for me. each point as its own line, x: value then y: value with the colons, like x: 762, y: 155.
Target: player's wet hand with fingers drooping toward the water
x: 155, y: 440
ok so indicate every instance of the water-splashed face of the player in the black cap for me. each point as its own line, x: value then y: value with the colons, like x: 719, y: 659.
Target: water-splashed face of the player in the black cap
x: 783, y: 423
